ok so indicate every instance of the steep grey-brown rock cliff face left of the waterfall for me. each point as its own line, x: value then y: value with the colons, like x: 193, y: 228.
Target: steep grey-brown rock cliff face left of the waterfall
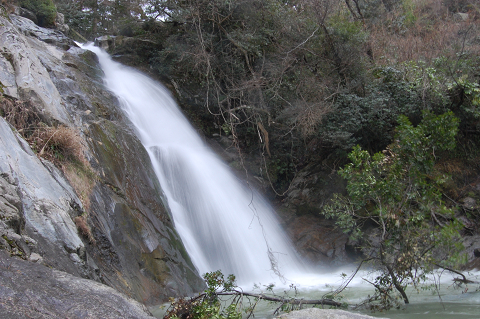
x: 127, y: 239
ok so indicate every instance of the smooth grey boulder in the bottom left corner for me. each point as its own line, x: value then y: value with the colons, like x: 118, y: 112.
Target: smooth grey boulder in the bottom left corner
x: 28, y: 290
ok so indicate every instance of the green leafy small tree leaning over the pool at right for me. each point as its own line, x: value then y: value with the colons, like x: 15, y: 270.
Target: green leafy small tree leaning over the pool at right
x: 394, y: 209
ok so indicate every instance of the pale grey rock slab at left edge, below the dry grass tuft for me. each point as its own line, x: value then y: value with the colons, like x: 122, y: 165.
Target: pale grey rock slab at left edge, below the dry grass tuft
x: 37, y: 203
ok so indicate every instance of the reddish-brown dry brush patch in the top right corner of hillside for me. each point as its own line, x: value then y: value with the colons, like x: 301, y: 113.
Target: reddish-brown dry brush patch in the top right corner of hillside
x: 431, y: 31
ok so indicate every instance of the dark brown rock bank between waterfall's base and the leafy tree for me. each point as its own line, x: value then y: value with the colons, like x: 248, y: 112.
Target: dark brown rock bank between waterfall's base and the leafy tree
x: 316, y: 238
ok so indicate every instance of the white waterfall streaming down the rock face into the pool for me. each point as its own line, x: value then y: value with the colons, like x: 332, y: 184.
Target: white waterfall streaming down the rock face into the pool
x: 224, y: 225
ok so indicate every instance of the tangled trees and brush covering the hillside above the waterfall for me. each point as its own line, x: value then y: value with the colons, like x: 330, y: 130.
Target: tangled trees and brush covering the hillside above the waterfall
x: 304, y: 81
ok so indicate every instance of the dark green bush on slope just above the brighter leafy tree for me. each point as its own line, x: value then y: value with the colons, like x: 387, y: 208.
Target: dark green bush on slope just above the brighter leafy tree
x: 369, y: 119
